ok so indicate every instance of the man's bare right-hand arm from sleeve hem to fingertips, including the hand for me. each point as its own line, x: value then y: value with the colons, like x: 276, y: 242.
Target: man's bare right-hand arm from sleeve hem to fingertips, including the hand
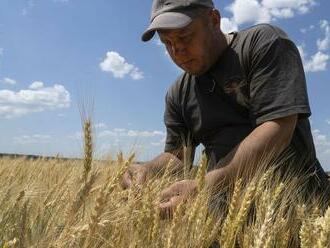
x: 272, y: 136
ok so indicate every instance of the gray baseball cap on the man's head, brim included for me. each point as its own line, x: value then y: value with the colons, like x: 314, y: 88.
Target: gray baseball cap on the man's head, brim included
x: 171, y: 14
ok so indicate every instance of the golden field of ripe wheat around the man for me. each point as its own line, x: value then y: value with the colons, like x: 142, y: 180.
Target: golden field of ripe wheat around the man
x: 80, y: 203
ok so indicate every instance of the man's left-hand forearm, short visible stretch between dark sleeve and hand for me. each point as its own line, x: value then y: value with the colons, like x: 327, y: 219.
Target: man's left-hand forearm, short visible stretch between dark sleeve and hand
x: 157, y: 165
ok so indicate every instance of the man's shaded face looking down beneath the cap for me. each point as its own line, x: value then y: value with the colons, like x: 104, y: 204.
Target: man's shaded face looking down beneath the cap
x: 190, y: 47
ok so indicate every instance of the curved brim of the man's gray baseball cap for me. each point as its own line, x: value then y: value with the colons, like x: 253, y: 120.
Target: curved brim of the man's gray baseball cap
x: 168, y: 20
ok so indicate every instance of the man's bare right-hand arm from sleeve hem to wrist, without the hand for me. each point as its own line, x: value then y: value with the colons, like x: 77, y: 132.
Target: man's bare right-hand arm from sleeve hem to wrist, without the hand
x: 270, y: 137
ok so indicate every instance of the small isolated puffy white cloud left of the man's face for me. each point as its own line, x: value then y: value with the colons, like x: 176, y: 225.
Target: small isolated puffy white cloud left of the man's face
x: 117, y: 65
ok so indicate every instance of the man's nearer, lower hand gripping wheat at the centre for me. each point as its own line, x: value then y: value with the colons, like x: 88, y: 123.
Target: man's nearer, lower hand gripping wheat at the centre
x: 178, y: 192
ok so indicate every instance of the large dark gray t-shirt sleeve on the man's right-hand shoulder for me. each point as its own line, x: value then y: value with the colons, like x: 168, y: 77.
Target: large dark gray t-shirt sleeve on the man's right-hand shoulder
x: 277, y: 83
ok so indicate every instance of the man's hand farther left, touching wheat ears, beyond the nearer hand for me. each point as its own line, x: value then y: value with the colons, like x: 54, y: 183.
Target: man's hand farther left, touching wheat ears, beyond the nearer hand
x: 135, y: 174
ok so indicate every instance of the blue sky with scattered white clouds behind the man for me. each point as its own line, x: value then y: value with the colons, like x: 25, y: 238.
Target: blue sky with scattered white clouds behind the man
x: 56, y: 55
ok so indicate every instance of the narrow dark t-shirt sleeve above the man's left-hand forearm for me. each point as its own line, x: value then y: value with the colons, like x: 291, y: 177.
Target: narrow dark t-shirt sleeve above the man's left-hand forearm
x: 176, y: 130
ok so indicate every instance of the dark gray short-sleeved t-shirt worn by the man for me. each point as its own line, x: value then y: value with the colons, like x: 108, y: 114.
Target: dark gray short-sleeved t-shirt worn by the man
x: 258, y: 78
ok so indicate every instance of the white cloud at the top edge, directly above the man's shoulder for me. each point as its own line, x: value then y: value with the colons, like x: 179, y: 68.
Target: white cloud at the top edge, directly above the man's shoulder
x: 258, y: 11
